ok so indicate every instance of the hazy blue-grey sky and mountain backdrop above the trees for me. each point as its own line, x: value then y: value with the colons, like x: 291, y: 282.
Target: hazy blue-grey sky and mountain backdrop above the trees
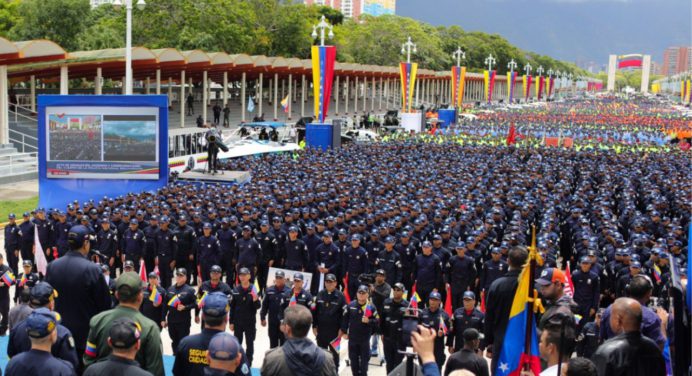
x: 567, y: 29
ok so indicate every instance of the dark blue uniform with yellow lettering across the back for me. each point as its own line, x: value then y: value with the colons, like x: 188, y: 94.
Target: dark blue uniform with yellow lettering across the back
x: 192, y: 355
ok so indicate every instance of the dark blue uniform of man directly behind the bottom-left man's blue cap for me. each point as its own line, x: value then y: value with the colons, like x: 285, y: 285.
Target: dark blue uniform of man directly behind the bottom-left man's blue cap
x: 63, y: 348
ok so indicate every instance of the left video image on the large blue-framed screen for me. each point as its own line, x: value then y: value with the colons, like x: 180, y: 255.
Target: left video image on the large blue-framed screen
x: 74, y: 137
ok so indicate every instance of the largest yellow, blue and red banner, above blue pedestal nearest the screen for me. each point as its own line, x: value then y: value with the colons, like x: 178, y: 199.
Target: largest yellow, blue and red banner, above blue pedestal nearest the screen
x: 323, y: 58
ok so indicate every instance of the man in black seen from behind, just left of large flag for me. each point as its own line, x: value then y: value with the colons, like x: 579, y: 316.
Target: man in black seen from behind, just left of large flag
x: 499, y: 303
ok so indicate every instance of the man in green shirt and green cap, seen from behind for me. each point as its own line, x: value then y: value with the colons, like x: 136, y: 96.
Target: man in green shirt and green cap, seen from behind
x: 128, y: 290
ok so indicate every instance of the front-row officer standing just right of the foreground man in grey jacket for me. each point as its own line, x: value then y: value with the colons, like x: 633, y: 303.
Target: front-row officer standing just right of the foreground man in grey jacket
x: 327, y: 315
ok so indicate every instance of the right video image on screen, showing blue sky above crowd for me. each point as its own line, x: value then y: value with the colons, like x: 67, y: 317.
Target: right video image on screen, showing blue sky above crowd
x: 129, y: 138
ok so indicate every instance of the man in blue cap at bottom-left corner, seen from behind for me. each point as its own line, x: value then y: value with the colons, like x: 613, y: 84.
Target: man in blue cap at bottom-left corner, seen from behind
x: 41, y: 328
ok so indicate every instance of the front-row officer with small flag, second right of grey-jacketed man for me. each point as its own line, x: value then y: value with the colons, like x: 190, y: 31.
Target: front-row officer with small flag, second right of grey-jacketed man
x: 358, y: 324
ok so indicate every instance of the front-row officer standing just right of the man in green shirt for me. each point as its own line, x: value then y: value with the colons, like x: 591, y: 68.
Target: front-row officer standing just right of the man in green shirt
x: 179, y: 301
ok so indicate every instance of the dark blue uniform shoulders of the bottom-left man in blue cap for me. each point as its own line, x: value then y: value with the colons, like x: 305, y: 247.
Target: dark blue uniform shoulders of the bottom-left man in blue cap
x: 36, y: 362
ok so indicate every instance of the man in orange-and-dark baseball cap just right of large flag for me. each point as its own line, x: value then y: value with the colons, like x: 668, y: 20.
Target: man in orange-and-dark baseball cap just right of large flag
x: 551, y: 286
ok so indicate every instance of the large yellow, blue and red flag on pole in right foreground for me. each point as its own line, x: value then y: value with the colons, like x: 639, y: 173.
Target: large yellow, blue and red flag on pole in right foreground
x: 513, y: 356
